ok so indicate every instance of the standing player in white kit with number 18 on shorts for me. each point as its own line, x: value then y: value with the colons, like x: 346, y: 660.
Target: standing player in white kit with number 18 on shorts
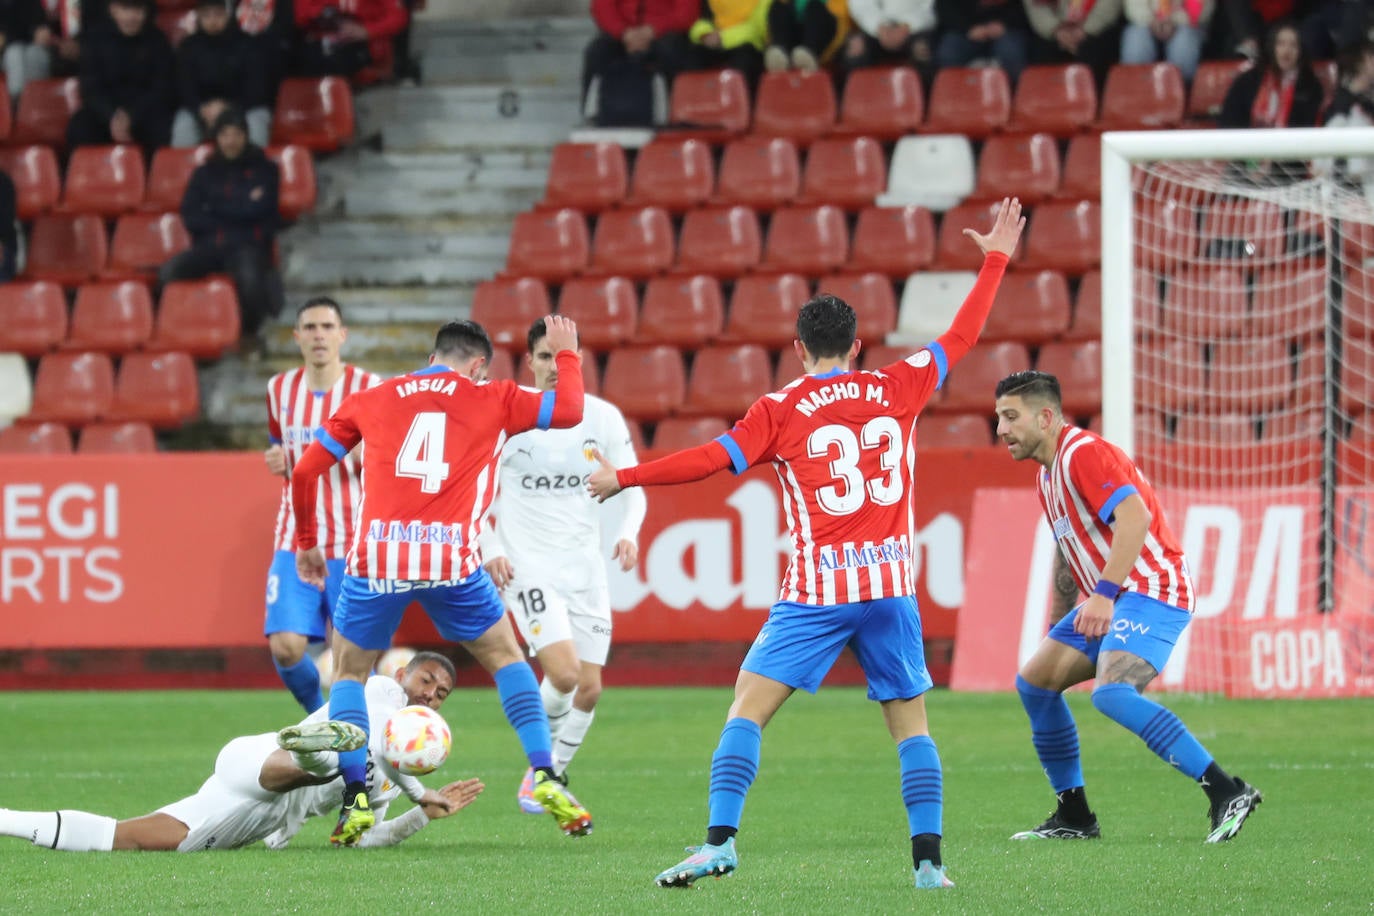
x: 545, y: 556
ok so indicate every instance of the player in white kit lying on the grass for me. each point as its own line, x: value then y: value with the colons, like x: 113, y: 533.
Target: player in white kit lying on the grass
x: 262, y: 792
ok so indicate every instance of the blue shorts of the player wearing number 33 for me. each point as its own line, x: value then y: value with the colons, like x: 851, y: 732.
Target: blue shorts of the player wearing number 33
x: 800, y: 643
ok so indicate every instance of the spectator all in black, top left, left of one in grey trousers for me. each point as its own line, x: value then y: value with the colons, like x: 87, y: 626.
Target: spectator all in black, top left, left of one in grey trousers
x: 127, y: 82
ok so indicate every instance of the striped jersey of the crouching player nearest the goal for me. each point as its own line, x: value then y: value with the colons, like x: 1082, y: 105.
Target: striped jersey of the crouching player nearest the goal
x: 1079, y: 494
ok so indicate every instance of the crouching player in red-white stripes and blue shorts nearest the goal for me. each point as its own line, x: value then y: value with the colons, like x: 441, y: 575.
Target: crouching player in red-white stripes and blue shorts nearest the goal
x: 1120, y: 551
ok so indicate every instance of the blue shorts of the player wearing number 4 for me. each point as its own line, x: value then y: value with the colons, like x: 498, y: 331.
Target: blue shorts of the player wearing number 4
x: 370, y: 610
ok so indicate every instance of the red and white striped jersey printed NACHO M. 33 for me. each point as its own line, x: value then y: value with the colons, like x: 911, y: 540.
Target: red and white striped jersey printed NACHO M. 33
x: 843, y: 446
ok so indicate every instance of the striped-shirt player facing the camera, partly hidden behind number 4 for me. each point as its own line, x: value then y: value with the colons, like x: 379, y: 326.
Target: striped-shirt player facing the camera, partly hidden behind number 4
x: 297, y: 402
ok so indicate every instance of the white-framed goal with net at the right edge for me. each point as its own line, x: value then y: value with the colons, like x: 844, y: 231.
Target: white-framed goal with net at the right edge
x: 1239, y: 370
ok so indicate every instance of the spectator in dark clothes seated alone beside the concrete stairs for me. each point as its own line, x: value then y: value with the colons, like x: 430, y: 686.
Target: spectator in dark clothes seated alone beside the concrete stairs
x: 232, y: 212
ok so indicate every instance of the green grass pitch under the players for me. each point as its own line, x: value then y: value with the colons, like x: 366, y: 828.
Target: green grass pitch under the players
x: 824, y: 830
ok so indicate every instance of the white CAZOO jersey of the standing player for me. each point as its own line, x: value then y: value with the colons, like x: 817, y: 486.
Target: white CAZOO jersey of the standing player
x: 545, y: 518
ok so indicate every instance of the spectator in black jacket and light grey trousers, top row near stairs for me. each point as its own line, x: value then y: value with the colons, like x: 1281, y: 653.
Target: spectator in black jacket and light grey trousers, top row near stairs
x: 219, y: 67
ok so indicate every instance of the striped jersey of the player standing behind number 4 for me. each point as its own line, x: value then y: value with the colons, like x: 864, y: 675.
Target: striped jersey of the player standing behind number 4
x: 293, y: 414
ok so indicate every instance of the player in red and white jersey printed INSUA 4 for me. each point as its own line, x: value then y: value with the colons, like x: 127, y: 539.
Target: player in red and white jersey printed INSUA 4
x: 433, y: 440
